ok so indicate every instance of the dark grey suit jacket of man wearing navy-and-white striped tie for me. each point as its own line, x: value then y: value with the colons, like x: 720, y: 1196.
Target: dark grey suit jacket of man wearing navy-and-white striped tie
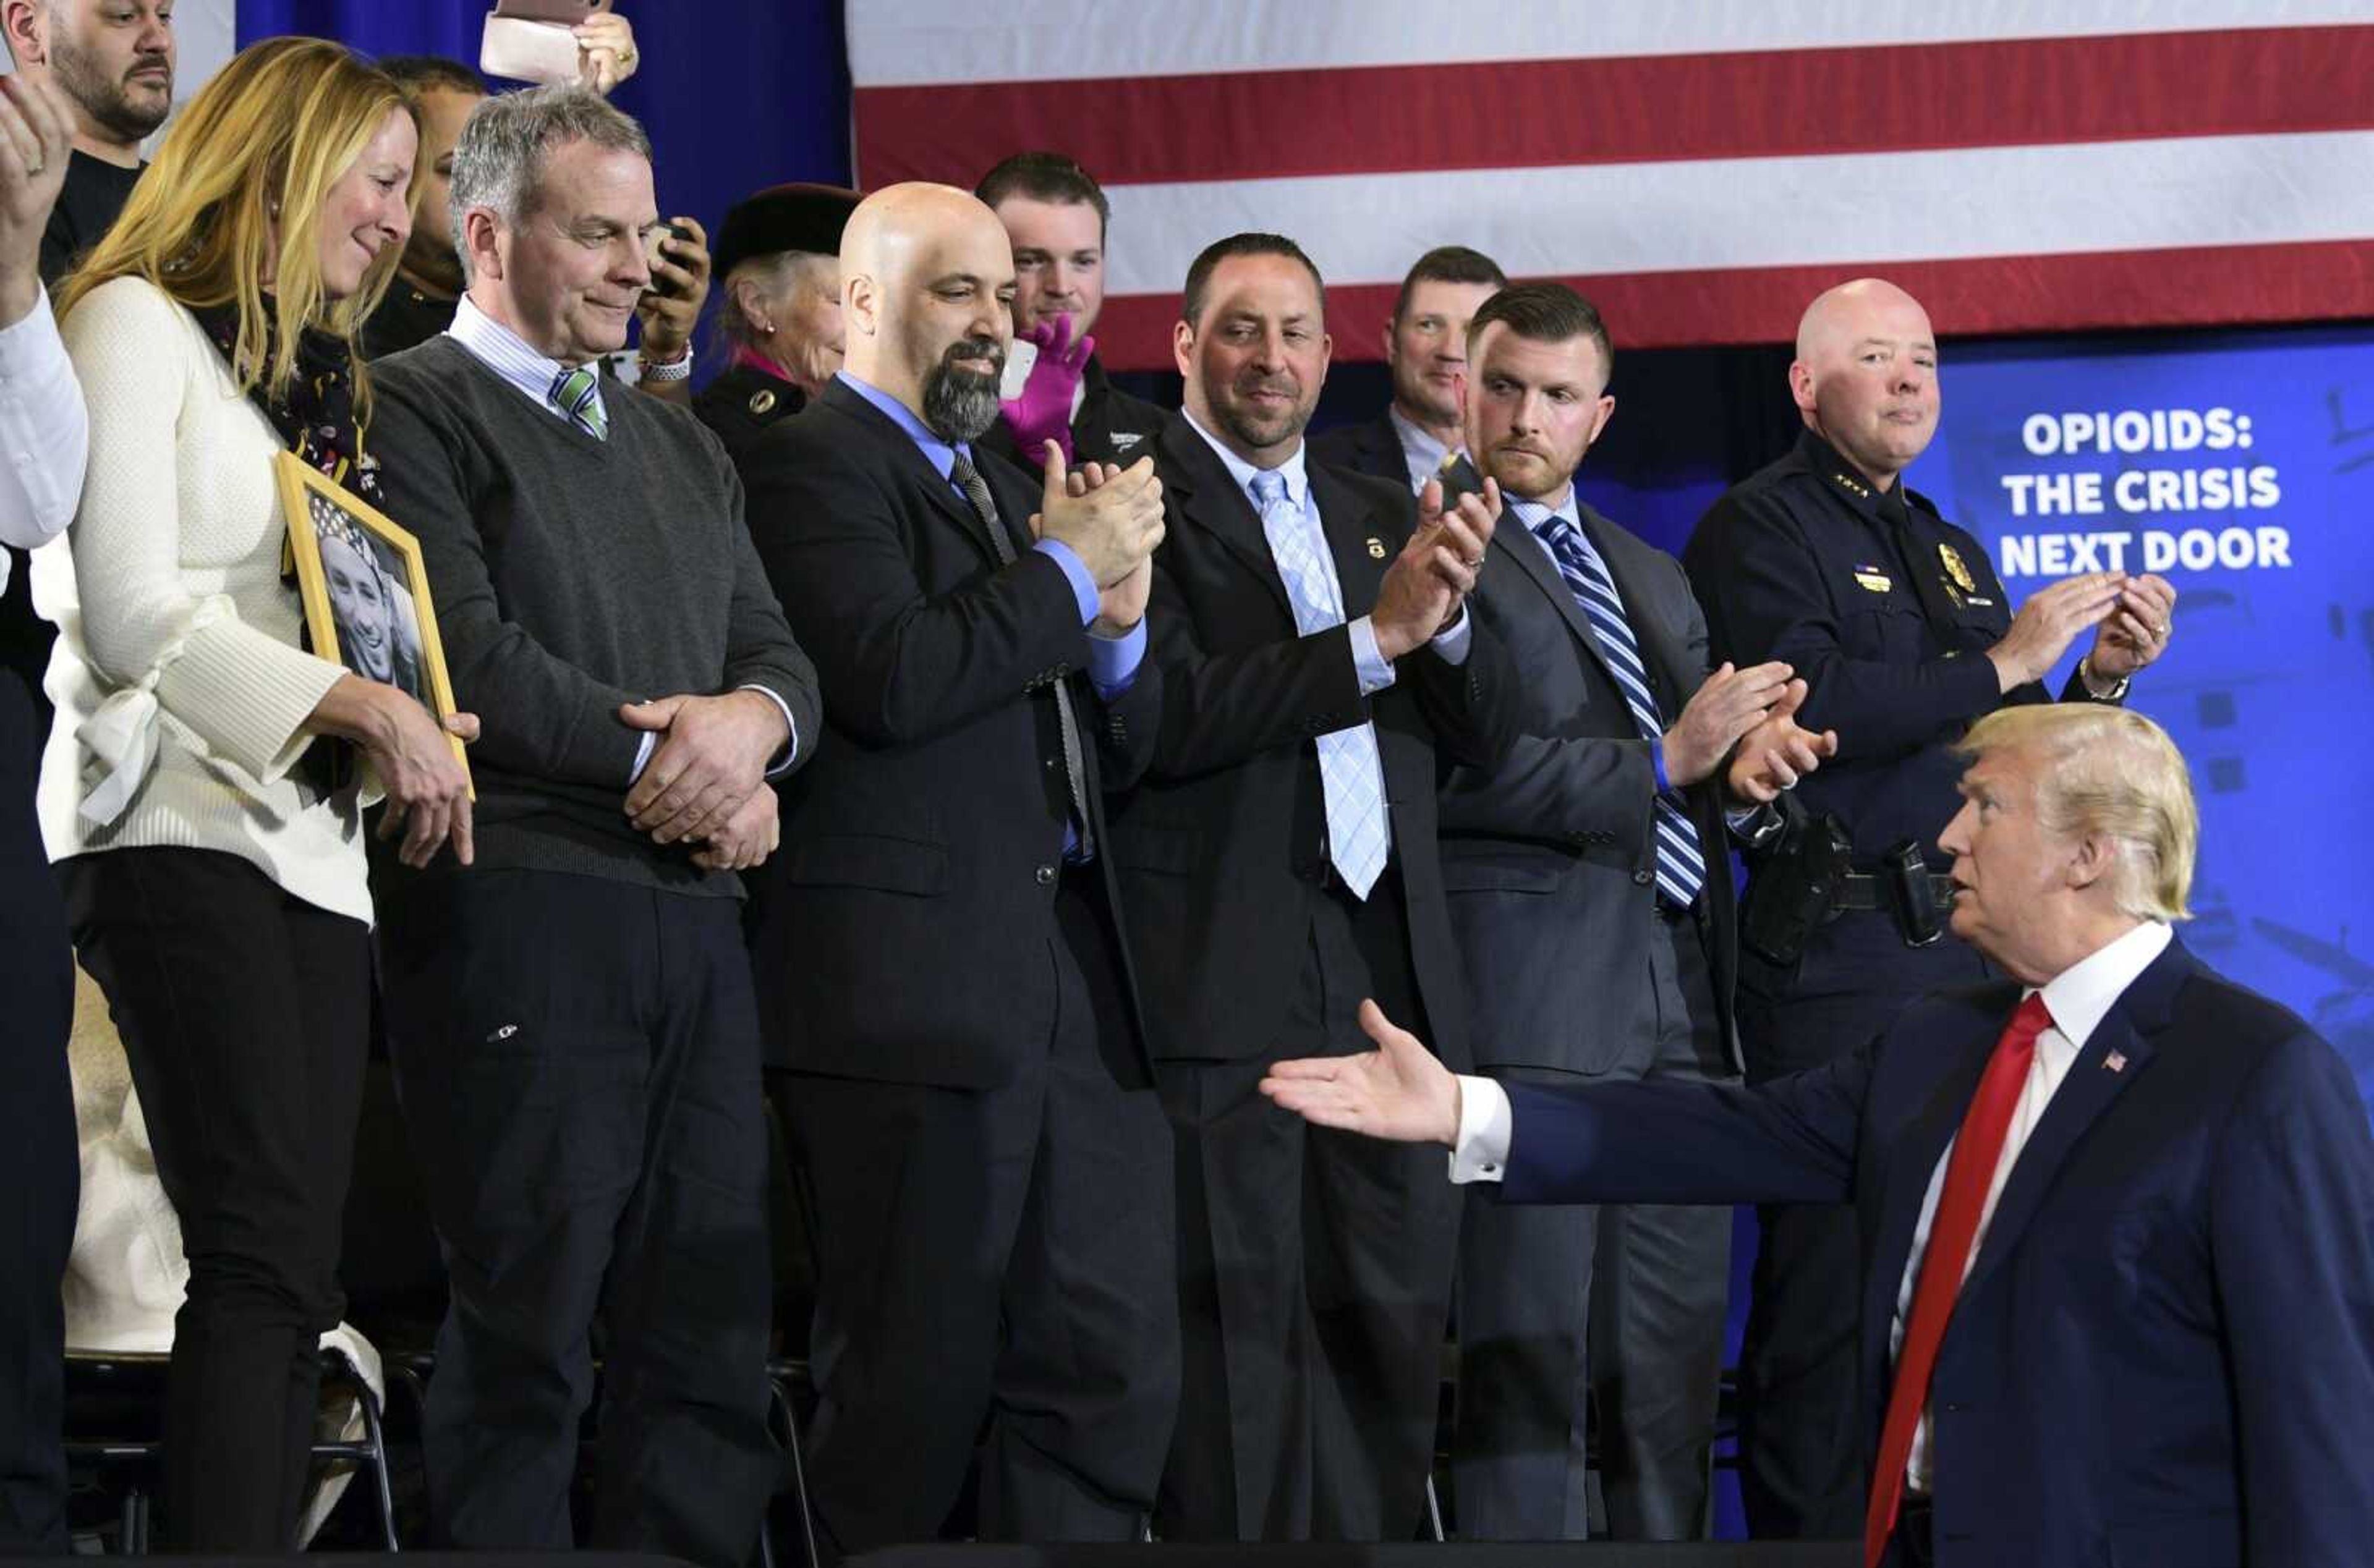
x: 1551, y: 855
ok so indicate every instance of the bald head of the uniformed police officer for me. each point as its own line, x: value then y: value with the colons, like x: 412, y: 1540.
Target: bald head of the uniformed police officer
x: 1867, y: 376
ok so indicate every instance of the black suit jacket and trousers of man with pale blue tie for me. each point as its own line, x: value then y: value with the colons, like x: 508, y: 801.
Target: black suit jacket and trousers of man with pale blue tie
x: 1314, y: 1268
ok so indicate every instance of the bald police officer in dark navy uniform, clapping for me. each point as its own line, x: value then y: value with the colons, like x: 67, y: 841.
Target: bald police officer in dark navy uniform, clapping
x: 1905, y: 635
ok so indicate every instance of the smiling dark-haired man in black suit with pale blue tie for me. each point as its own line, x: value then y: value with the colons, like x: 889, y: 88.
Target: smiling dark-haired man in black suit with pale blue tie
x: 1278, y: 862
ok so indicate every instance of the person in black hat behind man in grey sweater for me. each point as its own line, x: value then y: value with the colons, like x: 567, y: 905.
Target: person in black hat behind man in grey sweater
x: 780, y: 310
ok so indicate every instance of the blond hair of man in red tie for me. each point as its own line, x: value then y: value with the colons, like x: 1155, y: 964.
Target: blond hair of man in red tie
x: 2109, y: 775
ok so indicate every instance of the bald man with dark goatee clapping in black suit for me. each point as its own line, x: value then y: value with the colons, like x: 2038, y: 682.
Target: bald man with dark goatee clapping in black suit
x: 941, y: 943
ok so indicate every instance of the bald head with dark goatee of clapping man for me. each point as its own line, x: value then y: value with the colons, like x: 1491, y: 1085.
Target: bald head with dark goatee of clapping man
x: 927, y: 281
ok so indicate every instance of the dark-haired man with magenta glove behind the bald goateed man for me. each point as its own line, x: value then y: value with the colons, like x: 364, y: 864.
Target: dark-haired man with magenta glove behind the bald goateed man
x: 1055, y: 385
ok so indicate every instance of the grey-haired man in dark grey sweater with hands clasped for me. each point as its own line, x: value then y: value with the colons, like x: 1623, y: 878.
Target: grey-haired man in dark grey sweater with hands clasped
x: 573, y: 1019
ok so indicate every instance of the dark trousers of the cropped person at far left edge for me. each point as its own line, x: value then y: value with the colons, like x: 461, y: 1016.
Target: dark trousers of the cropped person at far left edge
x: 37, y: 1154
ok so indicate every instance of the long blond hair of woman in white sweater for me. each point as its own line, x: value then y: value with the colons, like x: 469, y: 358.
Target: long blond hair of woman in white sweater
x: 260, y: 146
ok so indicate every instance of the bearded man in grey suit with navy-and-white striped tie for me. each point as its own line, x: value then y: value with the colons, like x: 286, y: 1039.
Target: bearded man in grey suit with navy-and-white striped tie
x: 1592, y: 903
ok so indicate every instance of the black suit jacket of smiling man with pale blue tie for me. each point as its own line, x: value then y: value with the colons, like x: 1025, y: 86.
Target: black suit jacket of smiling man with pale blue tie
x: 1224, y: 848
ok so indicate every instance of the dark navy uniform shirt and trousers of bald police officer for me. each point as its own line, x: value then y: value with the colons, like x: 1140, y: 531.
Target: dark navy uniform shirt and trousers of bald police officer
x: 1886, y: 611
